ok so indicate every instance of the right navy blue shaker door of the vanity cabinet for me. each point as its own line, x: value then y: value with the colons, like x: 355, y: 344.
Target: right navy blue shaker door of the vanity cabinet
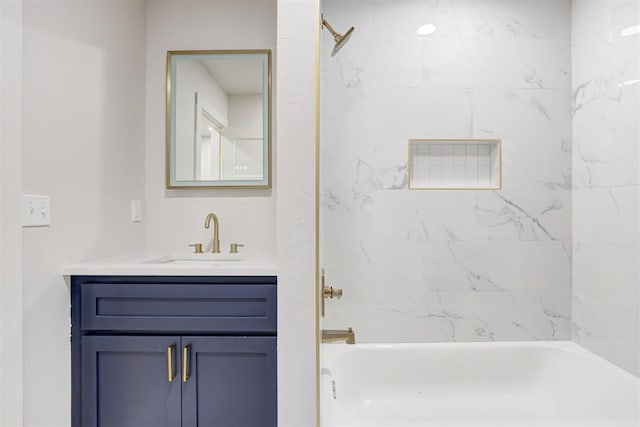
x: 231, y: 382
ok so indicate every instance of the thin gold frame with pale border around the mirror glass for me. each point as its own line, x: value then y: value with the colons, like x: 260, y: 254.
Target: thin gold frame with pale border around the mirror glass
x: 171, y: 182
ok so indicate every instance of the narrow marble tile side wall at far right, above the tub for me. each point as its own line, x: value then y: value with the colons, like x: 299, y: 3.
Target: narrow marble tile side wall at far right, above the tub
x: 606, y: 121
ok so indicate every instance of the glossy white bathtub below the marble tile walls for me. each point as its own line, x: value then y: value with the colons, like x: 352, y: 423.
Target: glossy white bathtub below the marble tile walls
x: 475, y: 384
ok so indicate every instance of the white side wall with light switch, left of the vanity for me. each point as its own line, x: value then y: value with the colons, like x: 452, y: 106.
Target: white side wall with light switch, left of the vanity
x: 83, y: 144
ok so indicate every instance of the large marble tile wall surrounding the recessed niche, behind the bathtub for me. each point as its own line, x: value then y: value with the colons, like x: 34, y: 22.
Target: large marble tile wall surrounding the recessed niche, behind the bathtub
x: 436, y: 265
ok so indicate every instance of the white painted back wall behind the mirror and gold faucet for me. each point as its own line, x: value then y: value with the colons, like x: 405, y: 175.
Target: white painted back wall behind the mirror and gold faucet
x: 175, y: 218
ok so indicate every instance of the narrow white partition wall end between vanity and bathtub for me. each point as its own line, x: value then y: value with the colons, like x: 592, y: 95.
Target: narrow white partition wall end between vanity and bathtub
x: 297, y: 32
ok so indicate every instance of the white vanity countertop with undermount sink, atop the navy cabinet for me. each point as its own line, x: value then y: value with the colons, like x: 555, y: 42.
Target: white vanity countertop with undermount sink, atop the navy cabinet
x: 142, y: 264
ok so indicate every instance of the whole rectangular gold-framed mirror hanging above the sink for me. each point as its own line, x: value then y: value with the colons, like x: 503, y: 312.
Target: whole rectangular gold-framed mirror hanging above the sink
x: 218, y: 118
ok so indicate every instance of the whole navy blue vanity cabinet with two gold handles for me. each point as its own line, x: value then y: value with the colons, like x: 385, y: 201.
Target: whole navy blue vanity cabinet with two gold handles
x: 173, y: 351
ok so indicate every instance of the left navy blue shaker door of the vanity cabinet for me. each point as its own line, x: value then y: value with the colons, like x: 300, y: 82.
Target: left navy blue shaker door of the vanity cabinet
x: 126, y: 381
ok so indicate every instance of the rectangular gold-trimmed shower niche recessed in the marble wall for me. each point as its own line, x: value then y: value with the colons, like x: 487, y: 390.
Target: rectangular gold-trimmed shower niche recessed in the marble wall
x: 455, y: 164
